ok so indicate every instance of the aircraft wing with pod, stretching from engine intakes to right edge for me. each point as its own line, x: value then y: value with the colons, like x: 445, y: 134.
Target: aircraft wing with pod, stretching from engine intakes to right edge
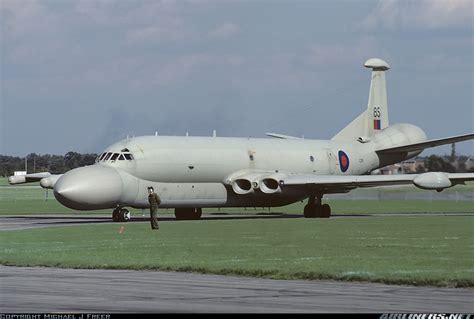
x: 332, y: 183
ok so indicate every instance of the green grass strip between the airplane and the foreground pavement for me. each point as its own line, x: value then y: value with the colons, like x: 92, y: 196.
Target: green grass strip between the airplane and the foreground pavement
x: 398, y: 250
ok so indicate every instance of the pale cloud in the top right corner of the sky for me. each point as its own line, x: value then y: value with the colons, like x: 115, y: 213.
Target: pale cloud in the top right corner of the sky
x: 422, y: 14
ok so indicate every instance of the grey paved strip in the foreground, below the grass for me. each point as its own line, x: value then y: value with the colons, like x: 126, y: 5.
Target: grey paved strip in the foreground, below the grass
x: 75, y: 290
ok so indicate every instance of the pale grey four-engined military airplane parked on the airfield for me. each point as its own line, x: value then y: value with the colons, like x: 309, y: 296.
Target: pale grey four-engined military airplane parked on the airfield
x: 190, y: 173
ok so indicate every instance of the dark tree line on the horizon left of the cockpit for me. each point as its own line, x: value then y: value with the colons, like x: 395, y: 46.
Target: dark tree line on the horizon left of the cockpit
x: 55, y: 164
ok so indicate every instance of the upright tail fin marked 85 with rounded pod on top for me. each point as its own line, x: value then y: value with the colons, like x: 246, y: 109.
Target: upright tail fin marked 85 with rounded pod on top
x: 376, y: 116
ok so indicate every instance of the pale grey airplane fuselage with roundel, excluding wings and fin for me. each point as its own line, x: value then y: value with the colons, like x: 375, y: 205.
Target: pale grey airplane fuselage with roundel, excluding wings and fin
x: 199, y: 171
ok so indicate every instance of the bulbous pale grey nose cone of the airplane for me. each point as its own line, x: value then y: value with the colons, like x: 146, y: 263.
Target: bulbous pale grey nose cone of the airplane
x: 90, y: 187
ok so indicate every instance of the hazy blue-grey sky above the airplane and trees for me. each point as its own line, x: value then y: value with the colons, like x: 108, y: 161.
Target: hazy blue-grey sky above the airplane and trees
x: 81, y: 75
